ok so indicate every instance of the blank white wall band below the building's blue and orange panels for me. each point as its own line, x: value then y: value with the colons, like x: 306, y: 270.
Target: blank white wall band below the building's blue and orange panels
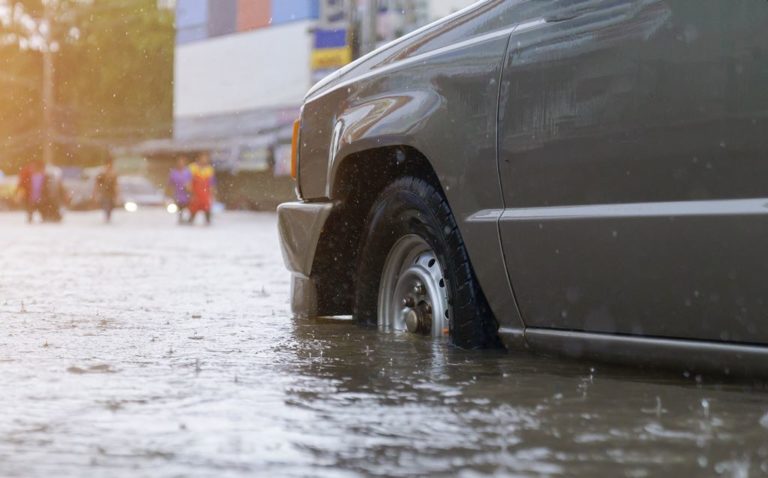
x: 264, y: 68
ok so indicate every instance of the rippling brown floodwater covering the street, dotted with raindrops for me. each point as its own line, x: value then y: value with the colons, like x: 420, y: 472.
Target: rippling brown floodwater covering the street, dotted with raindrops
x: 147, y: 349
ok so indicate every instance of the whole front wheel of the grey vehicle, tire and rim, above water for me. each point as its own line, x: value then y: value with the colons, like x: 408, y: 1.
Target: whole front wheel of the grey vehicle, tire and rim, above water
x: 414, y: 272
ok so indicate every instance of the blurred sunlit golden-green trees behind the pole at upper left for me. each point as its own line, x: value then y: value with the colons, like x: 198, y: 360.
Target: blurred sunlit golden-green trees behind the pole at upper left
x: 113, y: 79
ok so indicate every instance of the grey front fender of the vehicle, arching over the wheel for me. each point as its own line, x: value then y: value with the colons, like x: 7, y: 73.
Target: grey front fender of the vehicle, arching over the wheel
x: 440, y: 101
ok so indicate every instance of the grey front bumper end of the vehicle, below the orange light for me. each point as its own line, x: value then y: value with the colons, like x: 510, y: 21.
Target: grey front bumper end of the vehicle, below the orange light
x: 301, y: 225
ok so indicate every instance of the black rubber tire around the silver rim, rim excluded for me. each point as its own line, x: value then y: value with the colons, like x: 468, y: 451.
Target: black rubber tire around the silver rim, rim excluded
x: 413, y: 206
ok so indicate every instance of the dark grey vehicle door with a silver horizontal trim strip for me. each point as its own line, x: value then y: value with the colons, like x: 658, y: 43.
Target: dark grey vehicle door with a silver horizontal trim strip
x: 633, y: 162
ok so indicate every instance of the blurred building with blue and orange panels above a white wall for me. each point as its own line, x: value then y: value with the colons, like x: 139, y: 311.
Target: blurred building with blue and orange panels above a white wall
x: 241, y: 71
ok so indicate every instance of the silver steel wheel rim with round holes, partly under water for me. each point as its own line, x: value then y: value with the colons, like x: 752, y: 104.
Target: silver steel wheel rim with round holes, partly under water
x: 413, y: 293
